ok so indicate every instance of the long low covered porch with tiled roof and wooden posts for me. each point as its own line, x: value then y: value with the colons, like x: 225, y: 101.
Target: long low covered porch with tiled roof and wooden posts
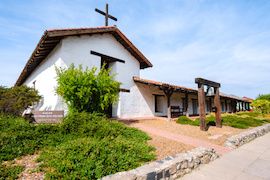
x: 172, y: 101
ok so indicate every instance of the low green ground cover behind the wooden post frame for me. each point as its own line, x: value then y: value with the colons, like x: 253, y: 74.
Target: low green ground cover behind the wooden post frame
x: 241, y: 120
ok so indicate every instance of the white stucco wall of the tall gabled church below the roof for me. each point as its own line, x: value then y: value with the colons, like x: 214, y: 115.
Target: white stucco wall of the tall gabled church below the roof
x: 76, y: 49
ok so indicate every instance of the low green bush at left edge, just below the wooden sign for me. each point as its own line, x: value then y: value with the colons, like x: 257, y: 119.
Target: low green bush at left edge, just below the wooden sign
x: 18, y: 137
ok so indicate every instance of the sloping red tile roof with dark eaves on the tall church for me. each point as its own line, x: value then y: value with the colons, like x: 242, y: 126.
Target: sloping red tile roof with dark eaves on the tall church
x: 51, y: 38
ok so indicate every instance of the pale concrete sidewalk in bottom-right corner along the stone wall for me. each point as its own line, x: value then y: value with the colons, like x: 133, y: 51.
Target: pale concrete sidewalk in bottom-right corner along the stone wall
x: 249, y: 162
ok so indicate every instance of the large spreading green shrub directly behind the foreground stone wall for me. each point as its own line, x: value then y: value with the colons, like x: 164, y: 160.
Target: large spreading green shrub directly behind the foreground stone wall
x: 93, y: 158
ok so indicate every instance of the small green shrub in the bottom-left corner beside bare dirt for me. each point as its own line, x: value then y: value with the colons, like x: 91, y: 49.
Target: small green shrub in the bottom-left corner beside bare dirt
x: 10, y: 172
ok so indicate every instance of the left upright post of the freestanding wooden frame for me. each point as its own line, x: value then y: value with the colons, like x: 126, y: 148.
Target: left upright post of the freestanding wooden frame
x: 201, y: 100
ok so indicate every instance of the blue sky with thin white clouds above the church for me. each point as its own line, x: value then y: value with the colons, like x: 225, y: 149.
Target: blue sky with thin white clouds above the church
x: 223, y: 40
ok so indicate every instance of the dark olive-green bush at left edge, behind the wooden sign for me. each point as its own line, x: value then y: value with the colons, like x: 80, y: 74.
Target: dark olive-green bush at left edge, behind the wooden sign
x: 16, y: 99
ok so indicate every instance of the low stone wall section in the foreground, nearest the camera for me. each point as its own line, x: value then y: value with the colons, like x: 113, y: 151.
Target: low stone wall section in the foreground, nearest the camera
x: 171, y: 167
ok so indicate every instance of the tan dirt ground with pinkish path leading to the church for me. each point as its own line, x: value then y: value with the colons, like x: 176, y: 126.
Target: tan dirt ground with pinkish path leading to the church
x: 186, y: 136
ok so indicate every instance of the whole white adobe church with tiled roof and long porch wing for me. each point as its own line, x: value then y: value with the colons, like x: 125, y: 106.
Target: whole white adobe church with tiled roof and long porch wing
x: 92, y: 47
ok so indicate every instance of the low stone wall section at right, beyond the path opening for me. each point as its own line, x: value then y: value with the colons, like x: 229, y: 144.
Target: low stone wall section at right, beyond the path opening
x: 247, y: 136
